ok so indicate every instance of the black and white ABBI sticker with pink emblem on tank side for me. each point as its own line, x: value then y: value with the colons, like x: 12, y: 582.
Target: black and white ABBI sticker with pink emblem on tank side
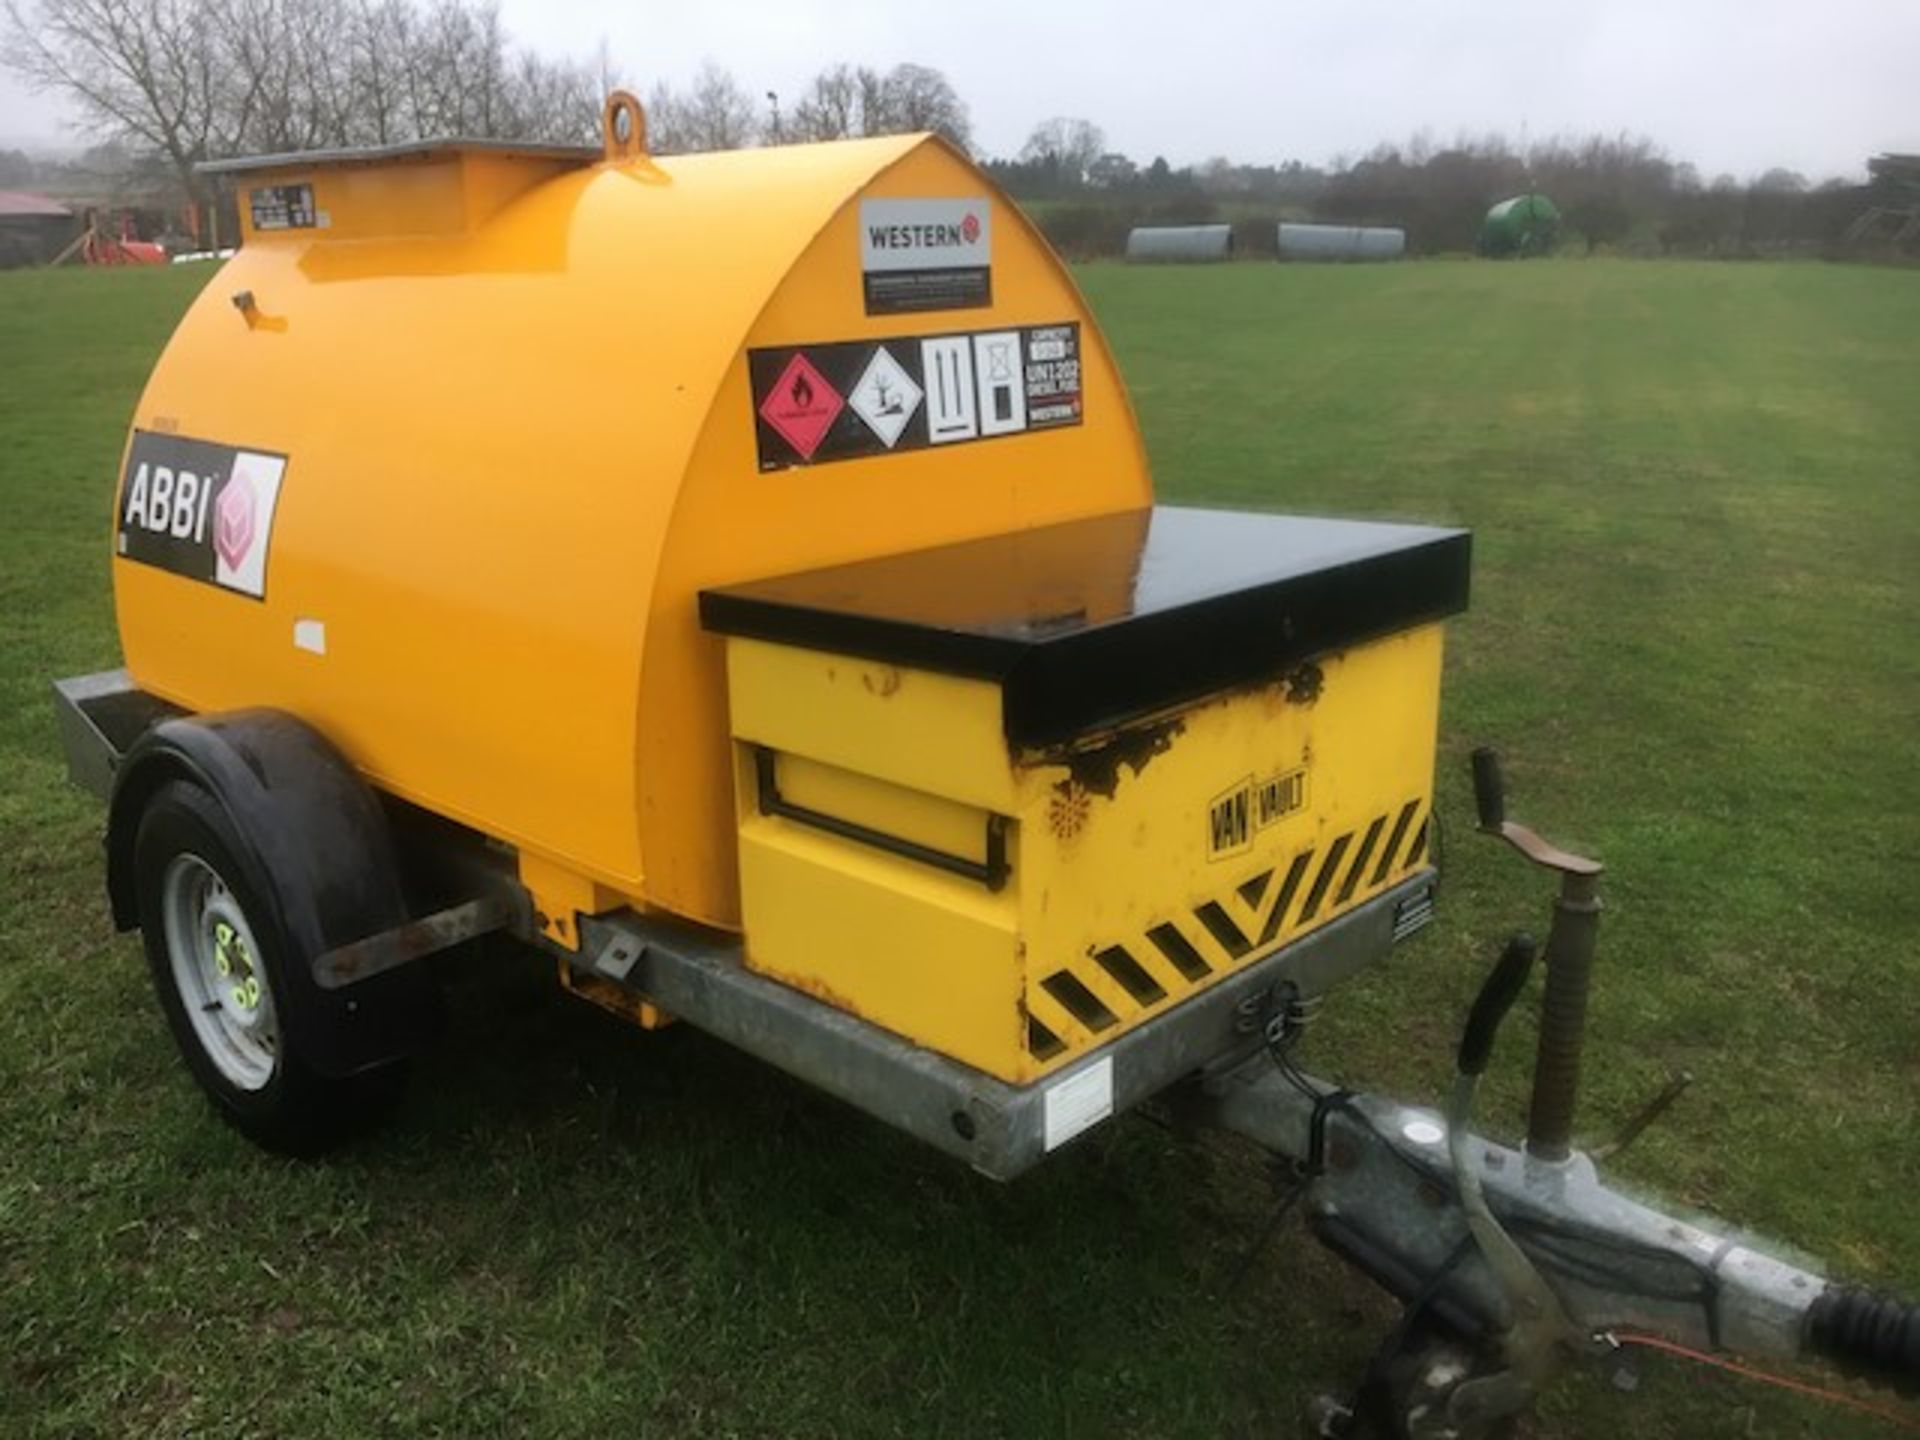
x: 201, y: 510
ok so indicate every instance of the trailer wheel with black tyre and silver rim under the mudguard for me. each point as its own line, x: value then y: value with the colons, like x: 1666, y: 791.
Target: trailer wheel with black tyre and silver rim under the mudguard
x: 220, y: 957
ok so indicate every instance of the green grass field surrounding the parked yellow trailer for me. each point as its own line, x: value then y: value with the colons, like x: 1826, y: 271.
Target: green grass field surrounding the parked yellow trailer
x: 1696, y: 496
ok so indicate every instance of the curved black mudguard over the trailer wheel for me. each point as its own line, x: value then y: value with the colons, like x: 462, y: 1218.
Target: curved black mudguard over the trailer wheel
x: 318, y: 846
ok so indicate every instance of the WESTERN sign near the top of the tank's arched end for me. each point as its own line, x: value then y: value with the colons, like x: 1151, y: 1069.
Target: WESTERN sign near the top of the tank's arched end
x: 926, y: 254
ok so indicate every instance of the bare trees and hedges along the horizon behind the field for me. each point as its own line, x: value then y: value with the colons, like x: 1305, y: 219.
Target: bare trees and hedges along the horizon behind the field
x: 172, y: 84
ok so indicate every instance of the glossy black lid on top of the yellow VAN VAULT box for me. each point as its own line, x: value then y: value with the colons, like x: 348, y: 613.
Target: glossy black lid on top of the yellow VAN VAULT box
x: 1092, y: 623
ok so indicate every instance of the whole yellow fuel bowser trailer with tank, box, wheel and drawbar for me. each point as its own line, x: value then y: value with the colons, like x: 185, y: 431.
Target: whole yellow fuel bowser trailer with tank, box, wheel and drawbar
x: 740, y: 577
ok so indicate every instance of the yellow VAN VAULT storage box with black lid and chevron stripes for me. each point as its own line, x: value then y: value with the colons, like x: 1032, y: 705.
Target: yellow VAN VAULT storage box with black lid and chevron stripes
x: 1019, y: 796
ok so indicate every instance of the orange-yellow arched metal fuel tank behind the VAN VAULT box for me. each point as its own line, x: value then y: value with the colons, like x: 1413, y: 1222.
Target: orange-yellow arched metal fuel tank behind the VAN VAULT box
x: 506, y: 410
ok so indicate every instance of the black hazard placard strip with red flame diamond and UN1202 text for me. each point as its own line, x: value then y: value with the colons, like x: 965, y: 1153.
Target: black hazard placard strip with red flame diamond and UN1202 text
x: 857, y: 398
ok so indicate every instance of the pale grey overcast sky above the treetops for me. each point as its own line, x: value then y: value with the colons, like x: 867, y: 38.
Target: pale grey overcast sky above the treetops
x: 1733, y: 85
